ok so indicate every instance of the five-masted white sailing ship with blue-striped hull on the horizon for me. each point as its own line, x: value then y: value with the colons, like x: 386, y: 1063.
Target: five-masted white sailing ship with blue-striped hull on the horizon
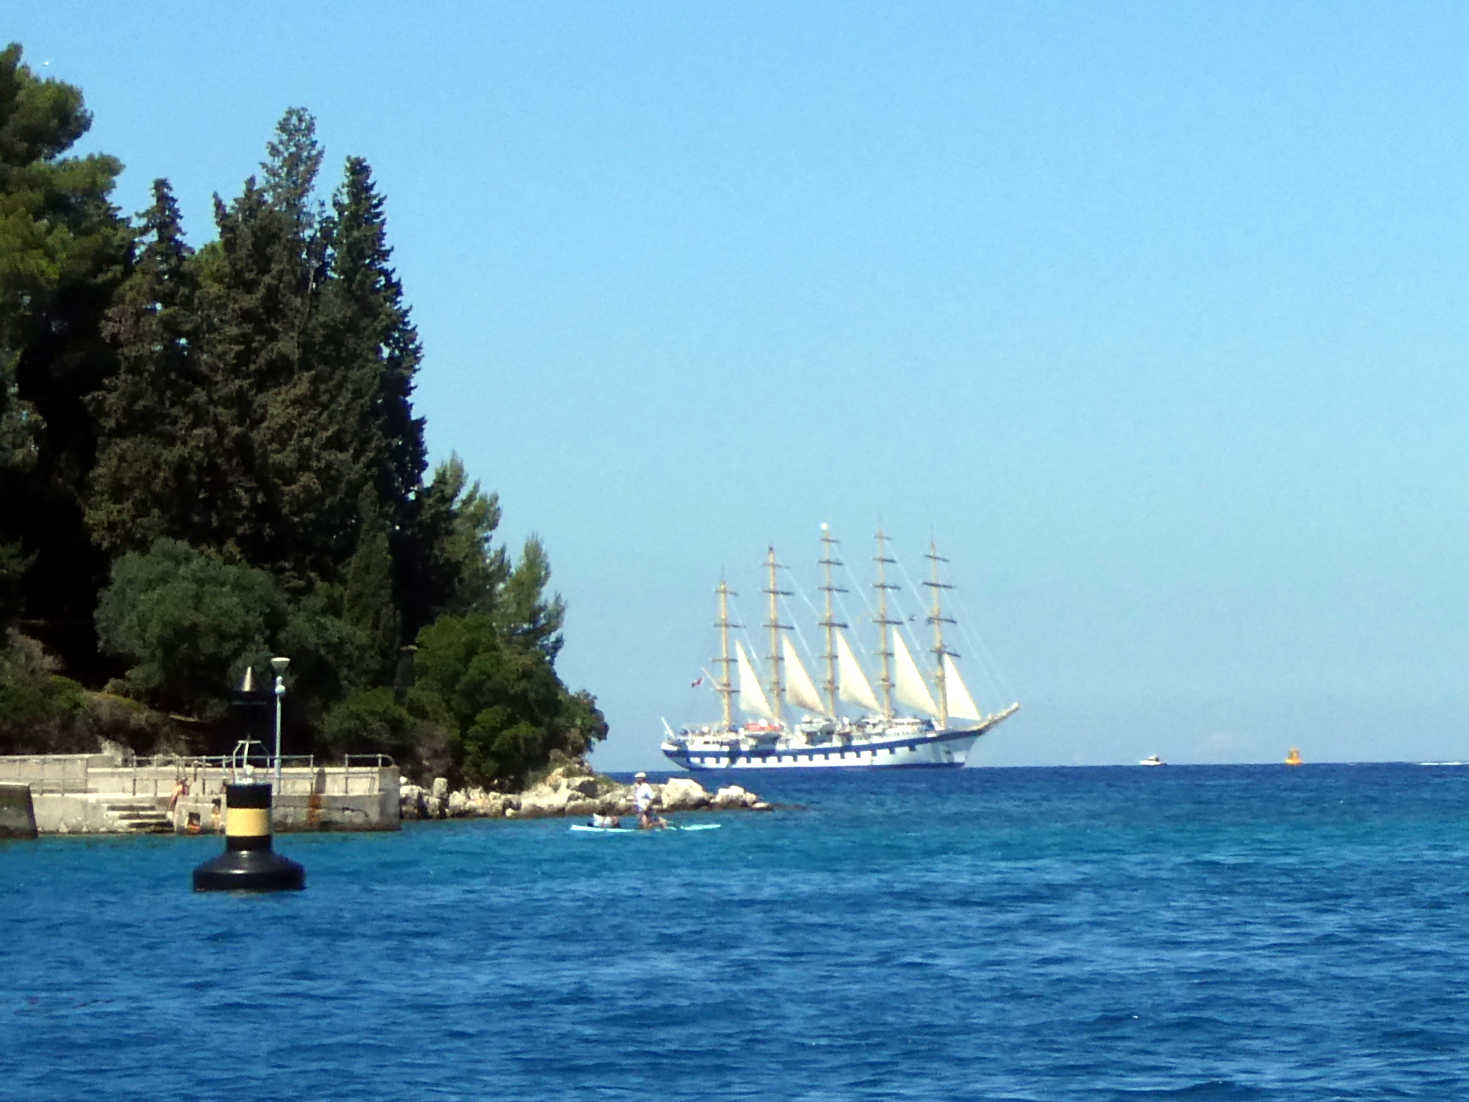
x: 798, y: 727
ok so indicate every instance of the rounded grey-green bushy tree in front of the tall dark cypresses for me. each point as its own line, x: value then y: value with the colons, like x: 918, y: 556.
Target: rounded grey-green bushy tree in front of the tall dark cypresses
x: 187, y: 622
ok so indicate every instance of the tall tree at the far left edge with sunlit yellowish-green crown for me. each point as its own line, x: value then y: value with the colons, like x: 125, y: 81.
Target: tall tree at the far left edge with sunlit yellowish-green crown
x: 62, y: 253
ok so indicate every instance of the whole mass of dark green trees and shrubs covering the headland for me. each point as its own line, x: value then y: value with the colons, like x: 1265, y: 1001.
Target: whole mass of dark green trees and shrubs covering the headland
x: 211, y: 456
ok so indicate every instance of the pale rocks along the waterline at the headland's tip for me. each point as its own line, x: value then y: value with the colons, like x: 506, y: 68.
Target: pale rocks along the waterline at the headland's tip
x: 569, y: 791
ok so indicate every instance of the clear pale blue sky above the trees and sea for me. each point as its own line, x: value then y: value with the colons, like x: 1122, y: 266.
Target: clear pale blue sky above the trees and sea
x: 1154, y: 315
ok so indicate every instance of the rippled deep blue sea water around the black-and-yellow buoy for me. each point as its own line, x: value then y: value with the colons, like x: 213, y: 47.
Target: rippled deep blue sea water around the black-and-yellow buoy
x: 1189, y: 932
